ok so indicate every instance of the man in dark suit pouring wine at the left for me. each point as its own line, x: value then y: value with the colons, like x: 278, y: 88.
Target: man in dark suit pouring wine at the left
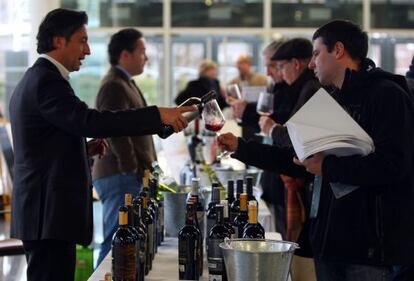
x: 52, y: 195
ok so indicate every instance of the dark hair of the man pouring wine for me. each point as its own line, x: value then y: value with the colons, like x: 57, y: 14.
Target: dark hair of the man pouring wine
x: 59, y: 22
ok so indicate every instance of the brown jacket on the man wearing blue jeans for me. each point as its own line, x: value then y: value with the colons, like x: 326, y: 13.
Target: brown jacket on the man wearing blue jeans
x: 125, y: 154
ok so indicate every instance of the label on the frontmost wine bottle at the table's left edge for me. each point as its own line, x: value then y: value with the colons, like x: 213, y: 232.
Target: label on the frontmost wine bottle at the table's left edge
x: 123, y: 262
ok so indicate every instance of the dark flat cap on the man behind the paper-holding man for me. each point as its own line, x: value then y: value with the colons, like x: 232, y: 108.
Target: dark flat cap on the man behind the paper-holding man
x: 296, y: 48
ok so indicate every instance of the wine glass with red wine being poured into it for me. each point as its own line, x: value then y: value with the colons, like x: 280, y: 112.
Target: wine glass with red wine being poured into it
x: 214, y: 121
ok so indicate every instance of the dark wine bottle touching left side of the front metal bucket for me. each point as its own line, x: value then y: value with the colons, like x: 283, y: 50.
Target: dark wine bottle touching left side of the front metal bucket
x: 219, y: 231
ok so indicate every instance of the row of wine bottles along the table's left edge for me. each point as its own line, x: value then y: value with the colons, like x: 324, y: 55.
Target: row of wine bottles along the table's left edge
x: 140, y: 232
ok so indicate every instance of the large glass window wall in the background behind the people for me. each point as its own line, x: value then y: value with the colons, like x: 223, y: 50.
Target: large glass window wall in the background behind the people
x: 216, y: 29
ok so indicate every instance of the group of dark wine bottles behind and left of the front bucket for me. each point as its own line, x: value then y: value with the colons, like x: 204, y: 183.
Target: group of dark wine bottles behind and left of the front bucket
x: 220, y: 225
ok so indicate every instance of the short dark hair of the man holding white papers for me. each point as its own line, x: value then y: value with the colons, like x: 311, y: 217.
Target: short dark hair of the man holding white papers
x: 351, y: 35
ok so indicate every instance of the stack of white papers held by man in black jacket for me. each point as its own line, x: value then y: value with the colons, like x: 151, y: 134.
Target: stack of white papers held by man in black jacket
x: 322, y: 125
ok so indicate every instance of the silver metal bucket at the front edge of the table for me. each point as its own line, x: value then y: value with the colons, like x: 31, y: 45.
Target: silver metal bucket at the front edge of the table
x: 257, y: 260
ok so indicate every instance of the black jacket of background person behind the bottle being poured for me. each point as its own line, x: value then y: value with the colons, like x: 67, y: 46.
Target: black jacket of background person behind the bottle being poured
x: 198, y: 88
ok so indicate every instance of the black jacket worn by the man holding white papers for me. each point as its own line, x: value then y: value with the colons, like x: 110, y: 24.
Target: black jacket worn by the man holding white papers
x: 373, y: 224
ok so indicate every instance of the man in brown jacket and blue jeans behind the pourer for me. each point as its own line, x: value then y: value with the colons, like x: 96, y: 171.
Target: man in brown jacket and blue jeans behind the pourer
x: 119, y: 170
